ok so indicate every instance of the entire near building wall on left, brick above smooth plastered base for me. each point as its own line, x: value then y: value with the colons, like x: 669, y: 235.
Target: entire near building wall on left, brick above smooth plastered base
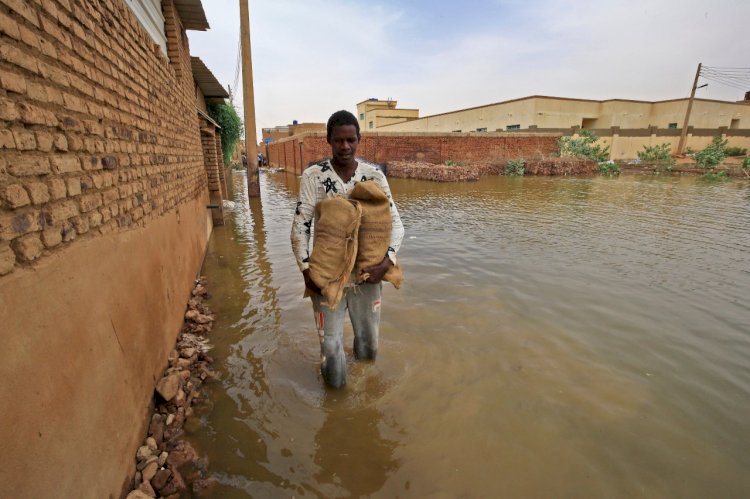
x: 103, y: 227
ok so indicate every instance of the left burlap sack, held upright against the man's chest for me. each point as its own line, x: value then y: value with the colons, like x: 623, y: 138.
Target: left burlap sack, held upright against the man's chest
x: 334, y: 246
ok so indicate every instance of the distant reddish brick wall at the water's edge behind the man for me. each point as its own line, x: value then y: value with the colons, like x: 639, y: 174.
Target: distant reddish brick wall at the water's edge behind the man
x: 424, y: 147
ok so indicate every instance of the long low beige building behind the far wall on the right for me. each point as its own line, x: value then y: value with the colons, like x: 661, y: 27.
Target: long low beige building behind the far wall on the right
x: 557, y: 113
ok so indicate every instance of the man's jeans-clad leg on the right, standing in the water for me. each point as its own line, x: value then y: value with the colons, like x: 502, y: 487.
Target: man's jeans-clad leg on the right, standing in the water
x: 364, y: 311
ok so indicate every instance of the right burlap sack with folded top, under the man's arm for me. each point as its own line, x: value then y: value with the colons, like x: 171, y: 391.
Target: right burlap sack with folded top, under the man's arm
x: 374, y: 230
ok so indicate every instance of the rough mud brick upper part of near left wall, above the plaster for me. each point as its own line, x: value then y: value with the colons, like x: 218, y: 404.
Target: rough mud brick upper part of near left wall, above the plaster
x: 98, y: 131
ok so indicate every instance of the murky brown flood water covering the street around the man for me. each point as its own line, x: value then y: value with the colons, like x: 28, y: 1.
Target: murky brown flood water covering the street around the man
x: 556, y: 337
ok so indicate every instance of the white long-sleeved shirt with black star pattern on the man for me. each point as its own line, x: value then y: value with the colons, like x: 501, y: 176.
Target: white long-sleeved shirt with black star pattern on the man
x: 321, y: 181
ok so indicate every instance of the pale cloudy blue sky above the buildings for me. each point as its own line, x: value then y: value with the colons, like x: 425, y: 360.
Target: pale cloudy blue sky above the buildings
x: 314, y: 57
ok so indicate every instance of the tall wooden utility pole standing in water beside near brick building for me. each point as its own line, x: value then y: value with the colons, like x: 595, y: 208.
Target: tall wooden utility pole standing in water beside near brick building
x: 248, y: 97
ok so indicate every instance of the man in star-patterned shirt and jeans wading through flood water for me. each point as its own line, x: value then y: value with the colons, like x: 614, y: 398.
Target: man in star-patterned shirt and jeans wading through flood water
x: 361, y: 293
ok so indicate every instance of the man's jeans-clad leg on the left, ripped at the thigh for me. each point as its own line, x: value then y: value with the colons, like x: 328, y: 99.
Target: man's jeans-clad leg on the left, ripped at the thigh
x: 330, y: 326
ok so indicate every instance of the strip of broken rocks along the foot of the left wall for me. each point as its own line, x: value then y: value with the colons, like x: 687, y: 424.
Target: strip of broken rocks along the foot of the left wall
x: 166, y: 462
